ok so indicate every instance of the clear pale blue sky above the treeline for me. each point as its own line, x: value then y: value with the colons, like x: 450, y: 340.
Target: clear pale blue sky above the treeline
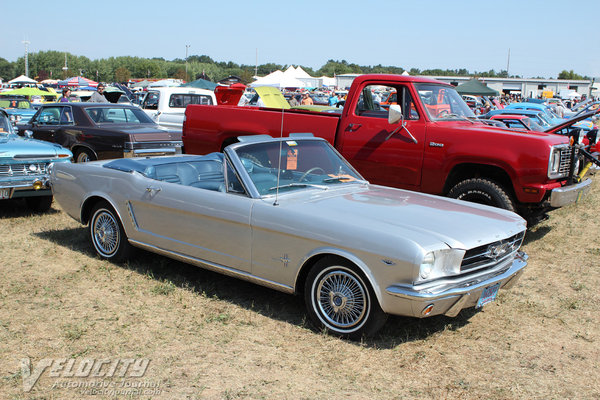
x: 544, y: 36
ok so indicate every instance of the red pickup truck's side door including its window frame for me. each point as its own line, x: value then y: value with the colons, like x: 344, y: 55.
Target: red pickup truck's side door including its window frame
x: 384, y: 153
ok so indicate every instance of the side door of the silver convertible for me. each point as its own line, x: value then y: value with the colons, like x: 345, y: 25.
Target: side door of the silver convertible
x: 204, y: 224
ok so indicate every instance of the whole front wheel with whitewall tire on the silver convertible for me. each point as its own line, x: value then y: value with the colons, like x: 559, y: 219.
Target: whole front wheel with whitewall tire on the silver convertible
x: 341, y: 301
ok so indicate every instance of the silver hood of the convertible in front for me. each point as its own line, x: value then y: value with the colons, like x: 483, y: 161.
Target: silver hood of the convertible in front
x: 425, y: 219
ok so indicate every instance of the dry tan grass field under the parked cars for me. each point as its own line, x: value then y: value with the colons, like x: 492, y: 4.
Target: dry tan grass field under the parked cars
x: 213, y: 337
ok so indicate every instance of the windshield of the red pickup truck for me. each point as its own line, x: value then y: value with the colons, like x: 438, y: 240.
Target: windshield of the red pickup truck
x: 443, y: 102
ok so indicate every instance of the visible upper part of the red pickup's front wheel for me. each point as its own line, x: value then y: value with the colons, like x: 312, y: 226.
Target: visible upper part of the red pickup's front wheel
x: 483, y: 191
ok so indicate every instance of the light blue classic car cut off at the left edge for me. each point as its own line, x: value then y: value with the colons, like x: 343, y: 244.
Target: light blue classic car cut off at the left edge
x: 24, y: 165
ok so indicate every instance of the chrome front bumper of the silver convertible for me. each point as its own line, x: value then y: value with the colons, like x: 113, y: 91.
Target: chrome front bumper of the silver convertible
x: 451, y: 299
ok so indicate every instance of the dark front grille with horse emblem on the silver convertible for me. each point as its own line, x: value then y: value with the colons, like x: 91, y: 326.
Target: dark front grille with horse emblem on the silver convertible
x: 489, y: 255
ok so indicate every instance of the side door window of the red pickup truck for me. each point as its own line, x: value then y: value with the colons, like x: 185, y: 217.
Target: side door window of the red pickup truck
x: 375, y: 101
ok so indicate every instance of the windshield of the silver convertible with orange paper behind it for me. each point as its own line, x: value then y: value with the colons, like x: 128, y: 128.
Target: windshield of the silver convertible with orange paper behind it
x: 301, y: 164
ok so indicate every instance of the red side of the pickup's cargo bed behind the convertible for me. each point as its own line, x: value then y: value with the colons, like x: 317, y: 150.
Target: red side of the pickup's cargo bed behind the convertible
x: 207, y: 128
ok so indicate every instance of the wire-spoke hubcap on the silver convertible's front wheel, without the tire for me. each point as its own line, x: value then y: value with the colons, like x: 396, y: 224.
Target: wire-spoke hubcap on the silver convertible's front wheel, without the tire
x: 342, y: 299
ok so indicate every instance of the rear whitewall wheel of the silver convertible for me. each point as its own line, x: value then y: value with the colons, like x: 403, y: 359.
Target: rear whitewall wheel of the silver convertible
x: 107, y: 234
